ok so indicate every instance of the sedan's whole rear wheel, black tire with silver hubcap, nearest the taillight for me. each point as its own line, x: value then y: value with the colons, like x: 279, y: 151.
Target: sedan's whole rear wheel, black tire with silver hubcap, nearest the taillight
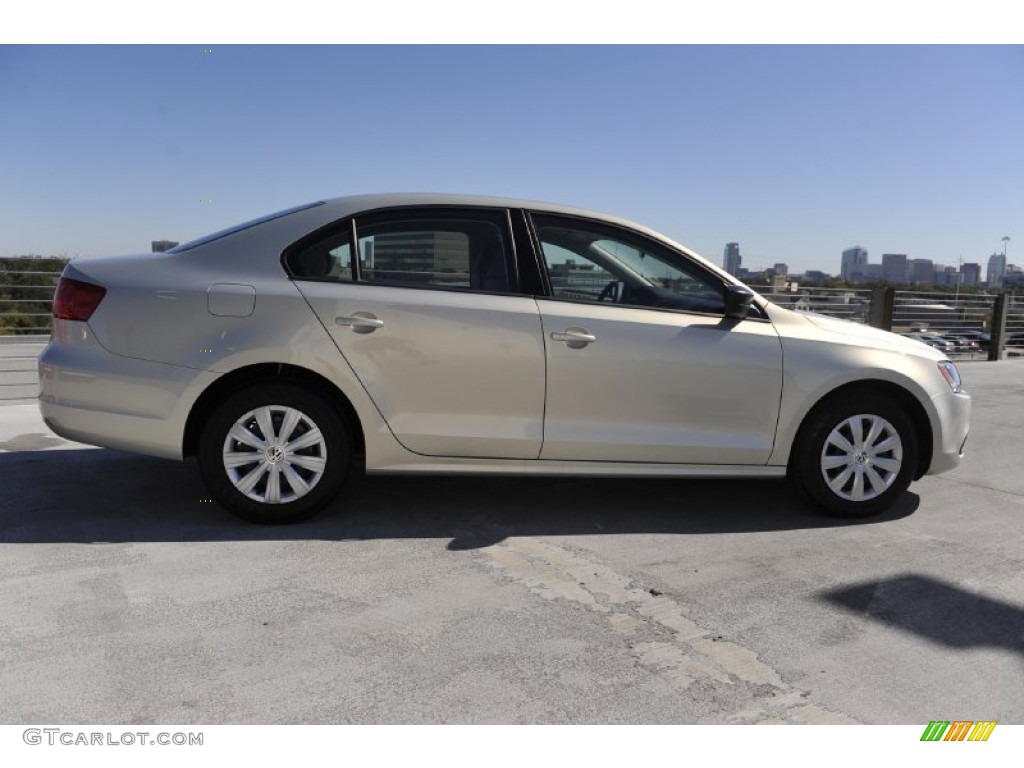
x: 288, y: 479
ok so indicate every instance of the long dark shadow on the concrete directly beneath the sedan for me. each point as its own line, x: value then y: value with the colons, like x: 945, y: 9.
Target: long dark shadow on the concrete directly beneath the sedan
x: 95, y: 496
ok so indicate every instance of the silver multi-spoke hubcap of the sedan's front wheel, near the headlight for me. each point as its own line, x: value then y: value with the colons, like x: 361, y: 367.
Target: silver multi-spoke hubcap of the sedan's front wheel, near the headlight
x: 862, y: 458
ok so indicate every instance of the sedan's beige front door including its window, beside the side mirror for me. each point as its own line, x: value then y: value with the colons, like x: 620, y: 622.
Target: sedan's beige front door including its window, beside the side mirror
x: 643, y: 365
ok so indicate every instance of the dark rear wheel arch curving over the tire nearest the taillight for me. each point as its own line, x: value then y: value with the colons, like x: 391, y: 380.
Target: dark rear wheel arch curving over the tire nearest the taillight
x: 264, y: 373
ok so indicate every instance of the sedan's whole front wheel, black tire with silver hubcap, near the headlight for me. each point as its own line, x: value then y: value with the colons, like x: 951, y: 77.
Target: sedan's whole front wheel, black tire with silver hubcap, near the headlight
x: 856, y: 455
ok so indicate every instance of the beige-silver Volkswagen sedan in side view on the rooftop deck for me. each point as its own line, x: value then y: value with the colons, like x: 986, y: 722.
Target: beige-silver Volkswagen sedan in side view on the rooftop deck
x: 456, y: 334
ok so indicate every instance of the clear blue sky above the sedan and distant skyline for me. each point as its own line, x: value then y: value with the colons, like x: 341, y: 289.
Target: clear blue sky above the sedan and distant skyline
x: 796, y: 152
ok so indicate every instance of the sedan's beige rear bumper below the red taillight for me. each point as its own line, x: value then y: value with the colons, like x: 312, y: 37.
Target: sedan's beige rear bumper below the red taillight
x: 91, y: 396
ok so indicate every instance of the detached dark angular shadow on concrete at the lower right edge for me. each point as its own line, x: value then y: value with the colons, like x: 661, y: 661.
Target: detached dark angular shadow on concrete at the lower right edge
x: 936, y: 611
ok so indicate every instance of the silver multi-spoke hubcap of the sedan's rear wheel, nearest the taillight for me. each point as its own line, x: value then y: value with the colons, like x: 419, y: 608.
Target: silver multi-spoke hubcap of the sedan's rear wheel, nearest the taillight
x: 275, y: 454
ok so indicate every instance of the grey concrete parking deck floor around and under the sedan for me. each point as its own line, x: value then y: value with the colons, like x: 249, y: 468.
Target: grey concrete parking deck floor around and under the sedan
x: 126, y: 596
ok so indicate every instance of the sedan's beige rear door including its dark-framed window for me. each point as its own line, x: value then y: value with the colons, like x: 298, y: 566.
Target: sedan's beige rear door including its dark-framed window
x: 426, y: 310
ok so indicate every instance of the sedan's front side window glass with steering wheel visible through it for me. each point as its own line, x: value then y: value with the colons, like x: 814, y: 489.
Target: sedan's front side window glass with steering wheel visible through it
x: 588, y: 262
